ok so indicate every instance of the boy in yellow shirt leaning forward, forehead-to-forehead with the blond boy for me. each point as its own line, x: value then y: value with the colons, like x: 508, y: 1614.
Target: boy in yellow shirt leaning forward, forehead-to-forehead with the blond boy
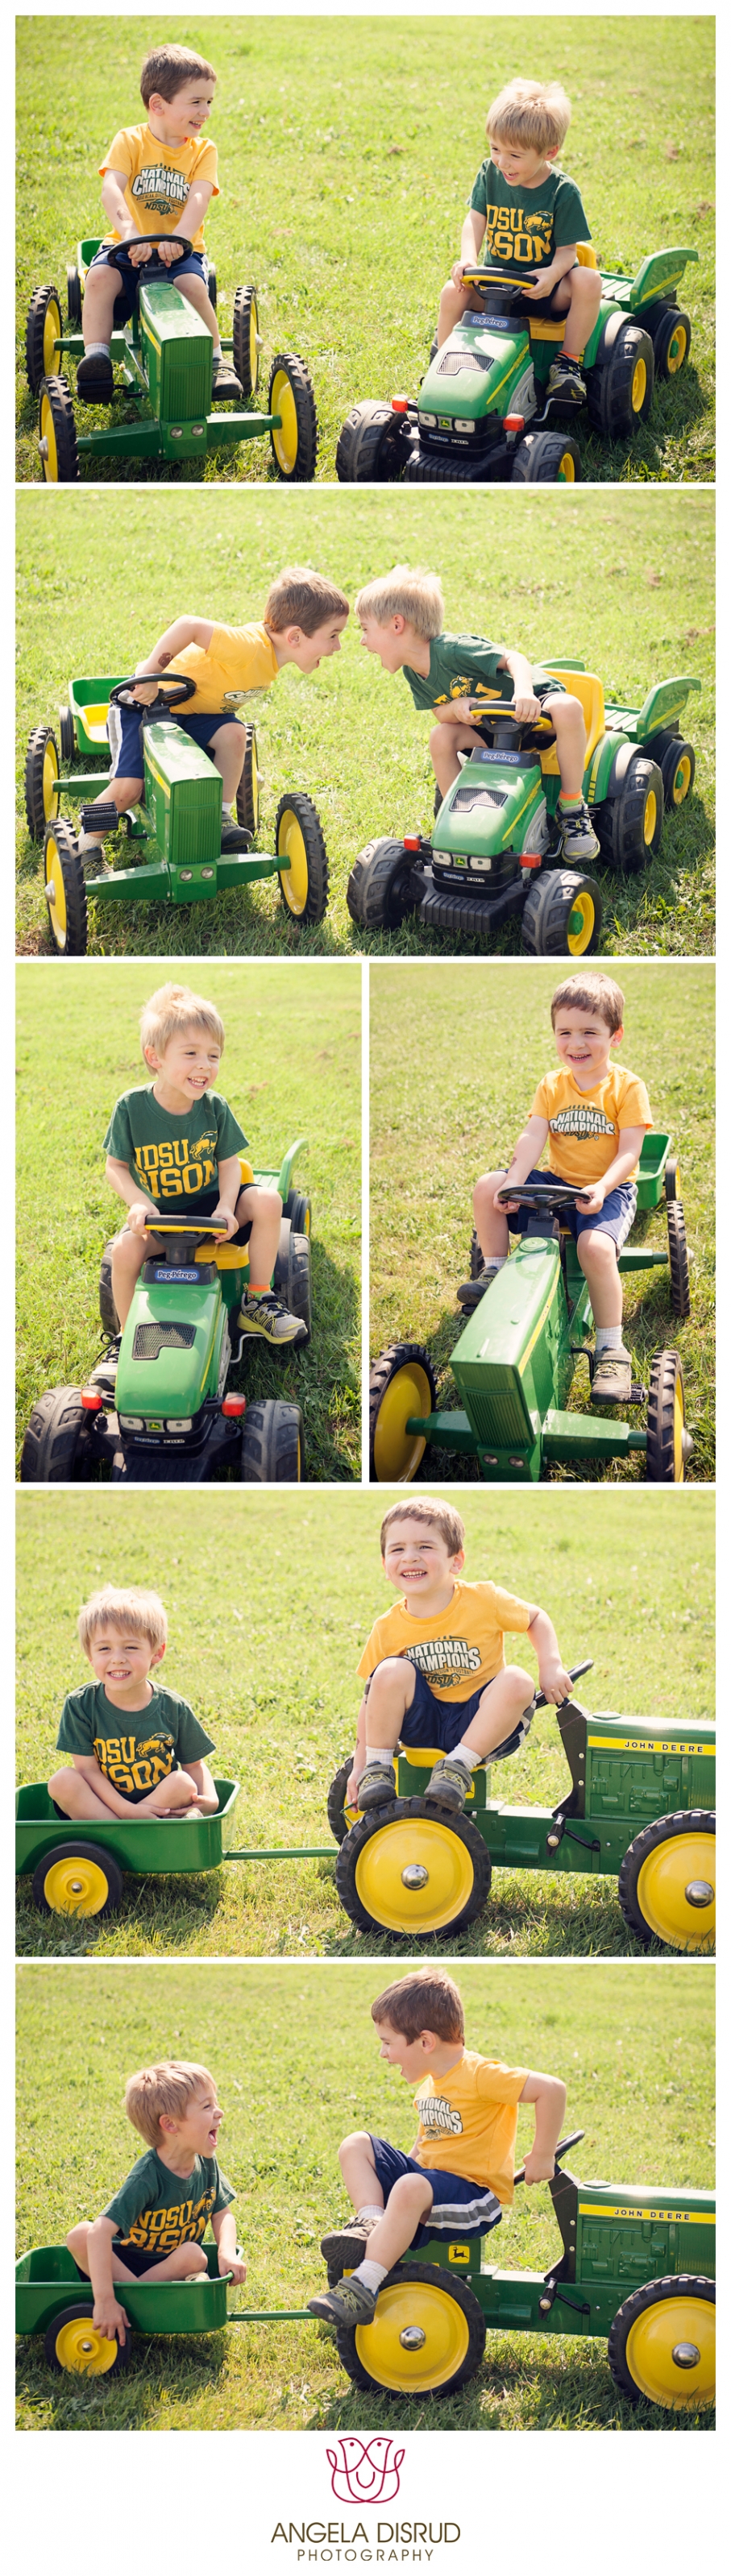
x: 302, y: 622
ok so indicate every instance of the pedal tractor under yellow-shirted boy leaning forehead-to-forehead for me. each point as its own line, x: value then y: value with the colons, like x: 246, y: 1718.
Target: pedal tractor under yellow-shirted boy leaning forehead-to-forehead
x: 179, y: 818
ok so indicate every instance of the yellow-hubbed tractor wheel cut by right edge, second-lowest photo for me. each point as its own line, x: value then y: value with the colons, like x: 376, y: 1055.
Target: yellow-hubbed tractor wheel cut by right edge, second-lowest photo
x: 668, y: 1882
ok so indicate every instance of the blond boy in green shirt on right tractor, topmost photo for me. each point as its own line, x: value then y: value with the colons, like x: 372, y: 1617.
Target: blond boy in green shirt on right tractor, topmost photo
x: 532, y: 220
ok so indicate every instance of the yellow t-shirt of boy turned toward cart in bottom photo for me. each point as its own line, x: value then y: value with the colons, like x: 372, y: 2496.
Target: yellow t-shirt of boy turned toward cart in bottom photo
x: 470, y: 2119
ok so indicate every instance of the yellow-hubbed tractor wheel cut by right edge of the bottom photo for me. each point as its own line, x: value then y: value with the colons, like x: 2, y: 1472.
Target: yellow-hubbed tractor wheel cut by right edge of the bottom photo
x: 663, y: 2343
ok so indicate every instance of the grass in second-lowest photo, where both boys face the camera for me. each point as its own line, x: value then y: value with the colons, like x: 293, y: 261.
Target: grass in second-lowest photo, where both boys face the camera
x: 266, y: 1645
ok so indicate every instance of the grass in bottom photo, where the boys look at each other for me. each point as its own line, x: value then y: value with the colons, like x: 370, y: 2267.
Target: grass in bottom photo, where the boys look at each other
x: 634, y: 2049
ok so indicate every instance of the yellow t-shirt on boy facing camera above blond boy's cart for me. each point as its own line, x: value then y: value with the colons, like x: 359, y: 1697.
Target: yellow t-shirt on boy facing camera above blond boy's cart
x: 459, y: 1650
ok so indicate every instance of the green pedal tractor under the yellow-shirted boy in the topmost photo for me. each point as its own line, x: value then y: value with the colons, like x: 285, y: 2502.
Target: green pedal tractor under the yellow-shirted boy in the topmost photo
x: 166, y: 367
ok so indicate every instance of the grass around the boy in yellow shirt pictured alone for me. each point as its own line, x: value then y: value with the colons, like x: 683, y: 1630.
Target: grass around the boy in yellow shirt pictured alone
x: 454, y: 1068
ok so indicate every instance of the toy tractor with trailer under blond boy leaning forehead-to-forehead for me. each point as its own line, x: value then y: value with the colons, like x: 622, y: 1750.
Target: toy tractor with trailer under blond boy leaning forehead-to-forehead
x: 495, y: 849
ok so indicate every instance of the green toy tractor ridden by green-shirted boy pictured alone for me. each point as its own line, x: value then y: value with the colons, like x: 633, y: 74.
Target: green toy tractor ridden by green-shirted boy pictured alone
x: 158, y: 1410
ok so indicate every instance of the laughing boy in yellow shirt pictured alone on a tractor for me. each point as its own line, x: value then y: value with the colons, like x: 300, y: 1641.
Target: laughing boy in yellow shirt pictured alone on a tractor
x: 596, y: 1117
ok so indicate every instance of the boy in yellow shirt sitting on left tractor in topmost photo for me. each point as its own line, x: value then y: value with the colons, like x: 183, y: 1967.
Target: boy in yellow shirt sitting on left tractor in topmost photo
x: 156, y: 179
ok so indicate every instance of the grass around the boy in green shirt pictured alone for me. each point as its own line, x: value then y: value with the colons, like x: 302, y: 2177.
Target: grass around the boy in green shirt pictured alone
x: 292, y: 1068
